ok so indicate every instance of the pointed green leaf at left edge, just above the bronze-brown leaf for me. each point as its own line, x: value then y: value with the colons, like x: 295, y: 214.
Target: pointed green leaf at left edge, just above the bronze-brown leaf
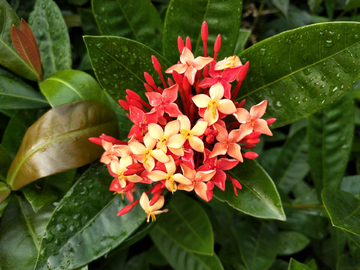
x: 19, y: 95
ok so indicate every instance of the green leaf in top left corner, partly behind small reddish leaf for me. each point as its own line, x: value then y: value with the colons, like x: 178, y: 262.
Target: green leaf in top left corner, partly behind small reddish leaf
x: 9, y: 57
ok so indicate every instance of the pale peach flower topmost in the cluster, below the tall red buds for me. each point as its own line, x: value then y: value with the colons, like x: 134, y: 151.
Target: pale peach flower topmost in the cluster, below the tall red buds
x: 189, y: 66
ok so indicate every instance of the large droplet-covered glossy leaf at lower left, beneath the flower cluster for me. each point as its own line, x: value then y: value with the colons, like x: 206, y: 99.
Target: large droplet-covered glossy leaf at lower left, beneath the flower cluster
x: 84, y: 225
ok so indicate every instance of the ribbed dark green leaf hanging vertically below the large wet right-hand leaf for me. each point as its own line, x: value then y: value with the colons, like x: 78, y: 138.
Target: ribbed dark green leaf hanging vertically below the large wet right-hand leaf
x: 330, y: 133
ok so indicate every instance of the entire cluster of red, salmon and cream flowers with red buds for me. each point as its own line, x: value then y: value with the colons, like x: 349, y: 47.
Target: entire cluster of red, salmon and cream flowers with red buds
x: 187, y: 143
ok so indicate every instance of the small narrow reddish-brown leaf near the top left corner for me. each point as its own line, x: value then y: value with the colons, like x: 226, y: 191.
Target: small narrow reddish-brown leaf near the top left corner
x: 27, y: 49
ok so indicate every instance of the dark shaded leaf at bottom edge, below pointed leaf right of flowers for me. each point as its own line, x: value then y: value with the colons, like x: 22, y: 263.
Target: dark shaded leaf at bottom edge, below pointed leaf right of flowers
x: 257, y: 241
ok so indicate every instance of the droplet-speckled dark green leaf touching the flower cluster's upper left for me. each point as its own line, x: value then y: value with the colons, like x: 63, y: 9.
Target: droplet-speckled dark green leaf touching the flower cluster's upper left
x: 120, y: 64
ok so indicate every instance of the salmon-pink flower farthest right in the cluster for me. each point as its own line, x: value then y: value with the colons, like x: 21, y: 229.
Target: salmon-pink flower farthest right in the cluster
x: 252, y: 120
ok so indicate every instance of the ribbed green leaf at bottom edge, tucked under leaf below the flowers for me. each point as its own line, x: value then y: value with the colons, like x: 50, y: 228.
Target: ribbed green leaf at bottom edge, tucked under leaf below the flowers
x: 180, y: 258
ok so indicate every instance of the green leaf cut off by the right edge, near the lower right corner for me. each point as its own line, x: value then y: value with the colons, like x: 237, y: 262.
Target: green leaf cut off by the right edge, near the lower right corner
x: 343, y: 209
